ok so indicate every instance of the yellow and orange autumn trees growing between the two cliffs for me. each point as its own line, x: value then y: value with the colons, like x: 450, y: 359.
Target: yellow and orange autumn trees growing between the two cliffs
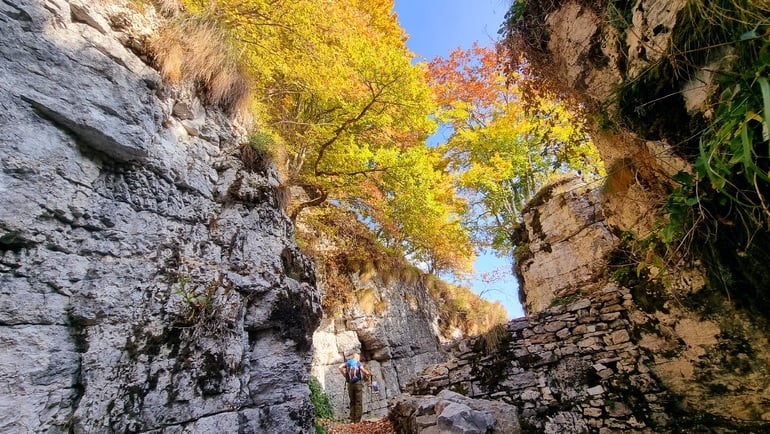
x: 338, y: 101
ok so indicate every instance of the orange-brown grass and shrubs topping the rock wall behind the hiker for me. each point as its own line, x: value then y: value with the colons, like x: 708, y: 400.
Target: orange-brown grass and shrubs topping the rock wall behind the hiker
x: 342, y: 246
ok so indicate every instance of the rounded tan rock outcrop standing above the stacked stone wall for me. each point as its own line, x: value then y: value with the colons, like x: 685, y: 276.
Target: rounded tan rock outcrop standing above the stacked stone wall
x: 562, y: 244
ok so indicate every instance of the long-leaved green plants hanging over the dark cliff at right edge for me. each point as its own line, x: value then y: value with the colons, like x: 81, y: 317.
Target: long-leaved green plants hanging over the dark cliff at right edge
x: 722, y: 205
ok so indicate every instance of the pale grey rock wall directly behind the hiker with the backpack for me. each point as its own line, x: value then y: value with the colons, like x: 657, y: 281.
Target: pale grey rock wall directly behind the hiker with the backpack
x: 394, y: 326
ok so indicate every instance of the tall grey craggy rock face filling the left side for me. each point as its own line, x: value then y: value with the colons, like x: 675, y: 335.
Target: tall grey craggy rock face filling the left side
x: 147, y: 281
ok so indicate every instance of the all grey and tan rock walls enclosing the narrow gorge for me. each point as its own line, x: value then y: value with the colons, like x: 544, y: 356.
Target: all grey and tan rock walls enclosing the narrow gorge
x: 152, y: 281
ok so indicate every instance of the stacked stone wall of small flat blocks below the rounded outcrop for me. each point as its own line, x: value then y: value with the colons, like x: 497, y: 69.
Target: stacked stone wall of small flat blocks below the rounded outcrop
x: 571, y: 368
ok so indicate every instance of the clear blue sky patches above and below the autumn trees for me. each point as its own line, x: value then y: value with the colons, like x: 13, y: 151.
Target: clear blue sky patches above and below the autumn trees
x: 436, y: 27
